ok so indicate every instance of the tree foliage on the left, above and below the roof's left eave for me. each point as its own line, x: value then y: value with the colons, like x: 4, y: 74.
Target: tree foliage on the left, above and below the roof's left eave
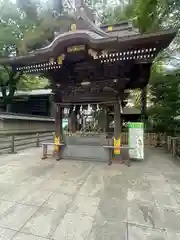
x: 25, y: 26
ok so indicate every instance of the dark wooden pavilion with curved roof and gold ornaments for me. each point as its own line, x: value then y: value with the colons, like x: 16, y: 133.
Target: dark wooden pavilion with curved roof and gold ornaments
x: 88, y: 64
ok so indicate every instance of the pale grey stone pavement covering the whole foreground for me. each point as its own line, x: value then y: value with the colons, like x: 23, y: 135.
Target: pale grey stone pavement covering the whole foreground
x: 70, y: 200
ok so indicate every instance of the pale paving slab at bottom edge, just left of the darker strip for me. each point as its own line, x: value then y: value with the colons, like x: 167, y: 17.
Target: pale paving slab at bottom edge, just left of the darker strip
x: 74, y: 227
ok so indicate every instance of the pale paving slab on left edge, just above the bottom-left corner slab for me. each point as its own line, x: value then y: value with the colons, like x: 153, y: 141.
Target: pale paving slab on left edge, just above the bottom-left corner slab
x: 16, y: 216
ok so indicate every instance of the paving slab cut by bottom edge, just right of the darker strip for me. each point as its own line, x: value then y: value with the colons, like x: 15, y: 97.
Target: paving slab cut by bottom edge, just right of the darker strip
x: 144, y: 233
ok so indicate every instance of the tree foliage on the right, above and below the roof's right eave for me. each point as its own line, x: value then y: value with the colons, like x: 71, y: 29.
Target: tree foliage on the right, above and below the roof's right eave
x: 149, y: 16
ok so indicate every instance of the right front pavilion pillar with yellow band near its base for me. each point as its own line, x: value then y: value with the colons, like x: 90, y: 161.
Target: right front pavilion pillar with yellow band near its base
x: 117, y: 129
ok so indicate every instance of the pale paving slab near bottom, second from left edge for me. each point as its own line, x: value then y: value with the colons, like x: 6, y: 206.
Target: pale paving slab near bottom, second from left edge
x: 44, y: 222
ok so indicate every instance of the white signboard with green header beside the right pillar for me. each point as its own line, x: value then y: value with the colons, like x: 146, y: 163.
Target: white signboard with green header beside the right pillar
x: 136, y: 140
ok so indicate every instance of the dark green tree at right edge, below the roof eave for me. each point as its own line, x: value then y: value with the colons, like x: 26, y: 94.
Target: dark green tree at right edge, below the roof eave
x: 165, y: 94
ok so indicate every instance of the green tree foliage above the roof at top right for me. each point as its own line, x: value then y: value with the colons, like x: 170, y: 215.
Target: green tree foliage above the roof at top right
x: 148, y: 15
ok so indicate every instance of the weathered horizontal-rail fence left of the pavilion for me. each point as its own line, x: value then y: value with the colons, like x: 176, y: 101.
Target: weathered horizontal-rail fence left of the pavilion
x: 13, y: 142
